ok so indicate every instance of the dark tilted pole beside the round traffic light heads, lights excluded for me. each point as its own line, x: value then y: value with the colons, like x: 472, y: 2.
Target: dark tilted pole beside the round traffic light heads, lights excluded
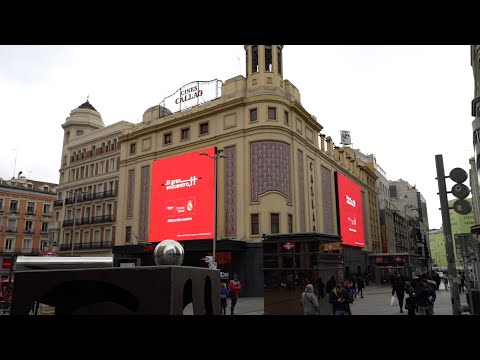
x: 447, y: 231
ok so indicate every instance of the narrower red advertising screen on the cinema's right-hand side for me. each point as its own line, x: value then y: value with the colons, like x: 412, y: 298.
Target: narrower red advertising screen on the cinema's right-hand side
x: 350, y: 215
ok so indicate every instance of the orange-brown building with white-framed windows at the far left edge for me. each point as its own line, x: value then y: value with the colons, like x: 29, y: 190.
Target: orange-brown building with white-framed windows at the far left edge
x: 26, y: 208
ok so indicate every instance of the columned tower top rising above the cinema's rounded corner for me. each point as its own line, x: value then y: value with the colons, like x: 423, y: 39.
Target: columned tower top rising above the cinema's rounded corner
x: 264, y: 68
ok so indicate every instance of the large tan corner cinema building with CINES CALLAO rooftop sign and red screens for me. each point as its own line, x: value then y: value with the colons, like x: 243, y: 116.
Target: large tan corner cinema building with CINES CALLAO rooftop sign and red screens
x: 278, y: 181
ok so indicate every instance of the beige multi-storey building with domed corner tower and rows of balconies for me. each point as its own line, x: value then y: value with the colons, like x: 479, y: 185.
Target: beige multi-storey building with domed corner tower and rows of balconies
x: 86, y: 205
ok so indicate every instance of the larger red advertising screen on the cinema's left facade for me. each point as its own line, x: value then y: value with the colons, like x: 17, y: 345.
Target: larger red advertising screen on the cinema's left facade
x: 182, y: 197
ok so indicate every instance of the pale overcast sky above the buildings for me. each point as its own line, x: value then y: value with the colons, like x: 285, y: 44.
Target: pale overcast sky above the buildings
x: 405, y: 104
